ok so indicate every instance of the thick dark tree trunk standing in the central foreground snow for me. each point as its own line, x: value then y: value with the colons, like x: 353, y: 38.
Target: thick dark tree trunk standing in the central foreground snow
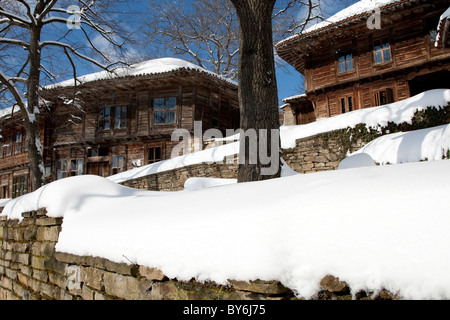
x: 258, y: 97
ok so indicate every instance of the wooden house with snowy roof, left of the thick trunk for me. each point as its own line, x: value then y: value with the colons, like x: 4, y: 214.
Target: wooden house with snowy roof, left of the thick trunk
x: 109, y: 123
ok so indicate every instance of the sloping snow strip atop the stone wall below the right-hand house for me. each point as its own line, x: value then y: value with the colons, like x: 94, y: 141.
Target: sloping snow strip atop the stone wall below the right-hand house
x: 398, y: 112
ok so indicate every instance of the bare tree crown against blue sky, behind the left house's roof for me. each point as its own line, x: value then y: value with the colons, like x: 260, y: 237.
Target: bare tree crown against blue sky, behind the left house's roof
x: 204, y: 32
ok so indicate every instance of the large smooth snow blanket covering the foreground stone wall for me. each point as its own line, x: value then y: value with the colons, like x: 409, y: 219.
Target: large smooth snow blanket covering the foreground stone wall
x: 373, y: 227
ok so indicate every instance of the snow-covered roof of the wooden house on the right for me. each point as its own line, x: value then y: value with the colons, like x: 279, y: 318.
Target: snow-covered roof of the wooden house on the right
x: 359, y: 9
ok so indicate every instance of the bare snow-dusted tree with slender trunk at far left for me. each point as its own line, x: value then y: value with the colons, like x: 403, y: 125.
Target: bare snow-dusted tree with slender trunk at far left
x: 29, y: 28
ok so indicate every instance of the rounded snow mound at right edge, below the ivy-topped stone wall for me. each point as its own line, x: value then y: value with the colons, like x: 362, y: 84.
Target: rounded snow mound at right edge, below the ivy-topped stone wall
x: 427, y: 144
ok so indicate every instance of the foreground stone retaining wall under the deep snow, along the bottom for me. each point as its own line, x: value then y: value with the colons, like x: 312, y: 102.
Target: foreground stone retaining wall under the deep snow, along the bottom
x: 31, y: 269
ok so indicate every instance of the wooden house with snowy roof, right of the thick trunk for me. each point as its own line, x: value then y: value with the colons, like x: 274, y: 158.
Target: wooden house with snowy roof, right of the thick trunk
x: 369, y: 54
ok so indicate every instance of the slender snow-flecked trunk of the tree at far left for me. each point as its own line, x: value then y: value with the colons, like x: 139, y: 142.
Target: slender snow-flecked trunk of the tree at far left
x: 35, y: 151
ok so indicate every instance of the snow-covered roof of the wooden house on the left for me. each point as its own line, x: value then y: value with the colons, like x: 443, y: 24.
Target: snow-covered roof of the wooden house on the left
x: 146, y: 68
